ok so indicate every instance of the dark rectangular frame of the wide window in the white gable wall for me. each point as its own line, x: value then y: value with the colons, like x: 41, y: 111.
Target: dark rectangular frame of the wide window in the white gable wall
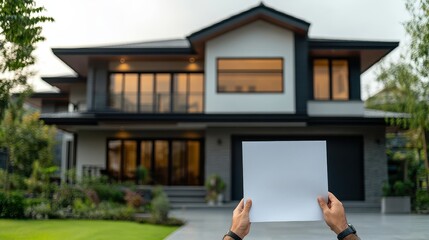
x: 281, y: 91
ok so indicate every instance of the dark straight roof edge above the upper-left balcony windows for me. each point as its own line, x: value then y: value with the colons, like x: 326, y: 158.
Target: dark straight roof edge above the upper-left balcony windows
x: 122, y: 51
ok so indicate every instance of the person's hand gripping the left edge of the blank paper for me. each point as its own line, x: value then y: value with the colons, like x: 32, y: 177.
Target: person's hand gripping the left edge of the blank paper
x: 240, y: 220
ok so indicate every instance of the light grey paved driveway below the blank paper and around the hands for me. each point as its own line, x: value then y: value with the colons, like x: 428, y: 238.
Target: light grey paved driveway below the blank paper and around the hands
x: 213, y: 223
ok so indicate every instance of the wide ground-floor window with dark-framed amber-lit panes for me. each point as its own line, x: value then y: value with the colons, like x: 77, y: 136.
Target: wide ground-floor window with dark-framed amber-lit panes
x: 169, y: 161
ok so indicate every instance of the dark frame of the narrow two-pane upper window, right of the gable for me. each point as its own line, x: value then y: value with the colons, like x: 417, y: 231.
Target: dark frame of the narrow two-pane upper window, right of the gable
x: 330, y: 59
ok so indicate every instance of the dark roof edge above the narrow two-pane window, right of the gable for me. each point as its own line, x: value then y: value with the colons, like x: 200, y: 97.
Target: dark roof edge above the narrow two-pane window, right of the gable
x: 350, y: 44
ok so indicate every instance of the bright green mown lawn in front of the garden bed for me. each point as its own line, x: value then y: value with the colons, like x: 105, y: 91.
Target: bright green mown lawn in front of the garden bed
x: 80, y: 230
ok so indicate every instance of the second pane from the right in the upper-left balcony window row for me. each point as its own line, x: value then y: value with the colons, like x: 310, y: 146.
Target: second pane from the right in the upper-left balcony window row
x: 180, y: 92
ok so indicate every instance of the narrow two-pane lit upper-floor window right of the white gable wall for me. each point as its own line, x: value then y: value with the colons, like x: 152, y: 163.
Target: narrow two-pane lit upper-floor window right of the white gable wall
x: 330, y: 79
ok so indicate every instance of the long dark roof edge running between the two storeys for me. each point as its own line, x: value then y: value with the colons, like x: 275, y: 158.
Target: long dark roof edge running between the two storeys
x: 95, y: 118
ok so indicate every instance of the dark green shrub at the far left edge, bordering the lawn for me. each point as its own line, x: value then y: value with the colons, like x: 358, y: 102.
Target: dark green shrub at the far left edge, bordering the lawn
x: 11, y: 205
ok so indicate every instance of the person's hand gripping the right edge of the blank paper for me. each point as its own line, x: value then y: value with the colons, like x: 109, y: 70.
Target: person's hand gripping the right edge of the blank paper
x: 335, y: 216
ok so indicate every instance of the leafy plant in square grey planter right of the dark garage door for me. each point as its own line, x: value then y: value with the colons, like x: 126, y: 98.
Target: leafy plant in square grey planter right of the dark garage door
x: 396, y: 198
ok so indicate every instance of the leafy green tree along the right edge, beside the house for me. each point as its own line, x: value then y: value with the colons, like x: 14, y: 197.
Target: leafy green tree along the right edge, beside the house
x: 406, y: 81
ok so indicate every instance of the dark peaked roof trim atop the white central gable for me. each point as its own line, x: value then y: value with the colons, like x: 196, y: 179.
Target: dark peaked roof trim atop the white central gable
x: 258, y: 12
